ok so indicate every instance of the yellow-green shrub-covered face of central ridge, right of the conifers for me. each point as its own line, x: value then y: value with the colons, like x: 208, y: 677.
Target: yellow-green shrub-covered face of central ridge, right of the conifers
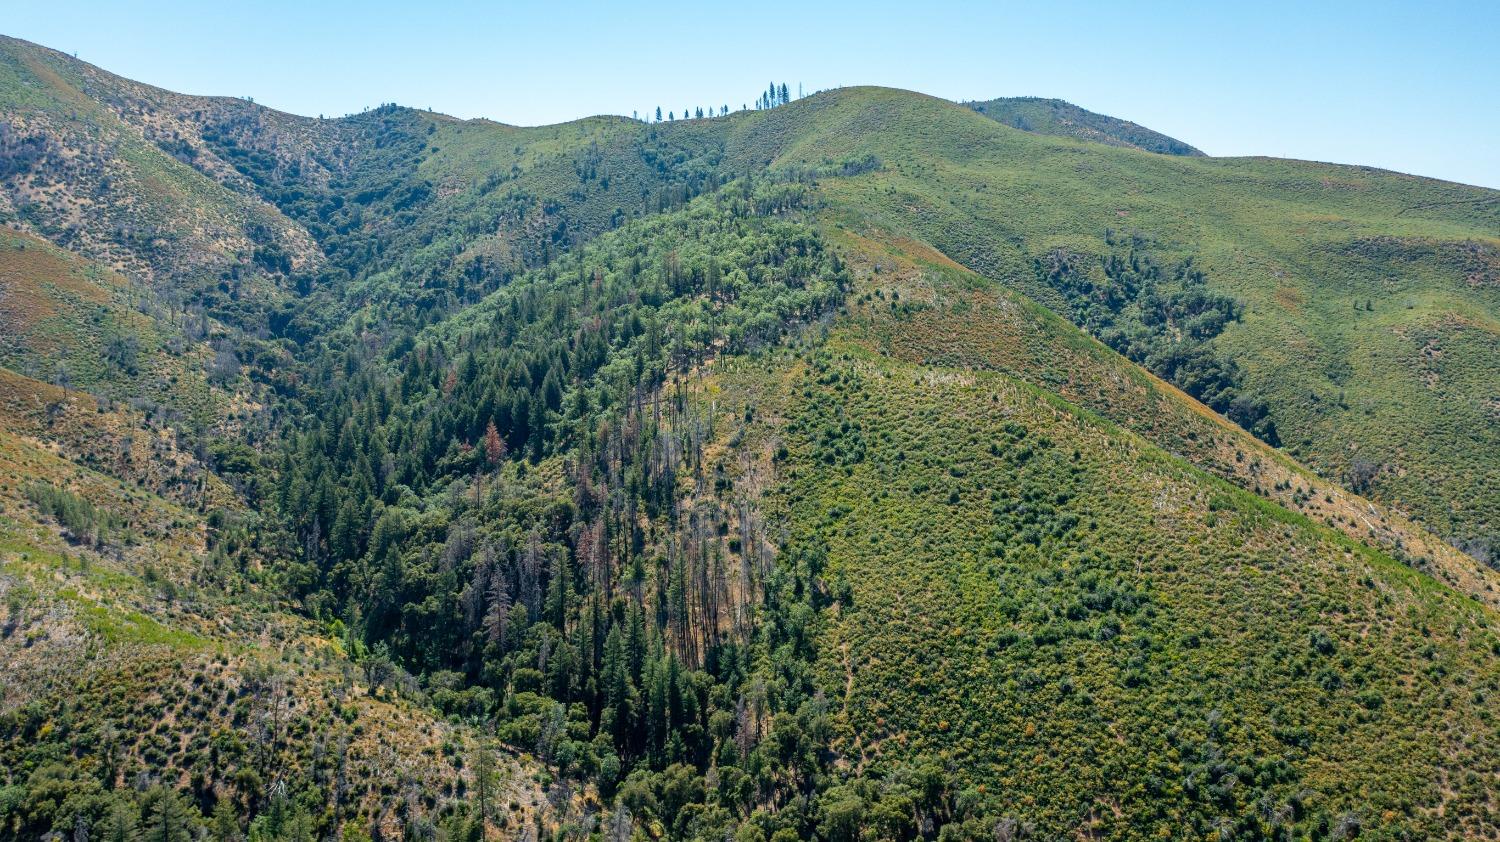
x: 1108, y: 639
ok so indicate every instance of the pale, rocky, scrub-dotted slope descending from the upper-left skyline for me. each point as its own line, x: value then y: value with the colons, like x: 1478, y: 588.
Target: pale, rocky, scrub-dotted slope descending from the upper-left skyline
x: 98, y: 175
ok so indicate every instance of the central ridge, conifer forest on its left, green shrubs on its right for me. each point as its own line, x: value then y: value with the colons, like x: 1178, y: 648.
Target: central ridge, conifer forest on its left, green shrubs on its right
x: 871, y: 586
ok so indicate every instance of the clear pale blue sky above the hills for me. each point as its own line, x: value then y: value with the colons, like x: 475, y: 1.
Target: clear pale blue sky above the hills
x: 1406, y: 86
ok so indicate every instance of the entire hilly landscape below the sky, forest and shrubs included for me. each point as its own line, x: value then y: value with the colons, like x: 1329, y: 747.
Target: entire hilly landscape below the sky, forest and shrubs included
x: 854, y: 469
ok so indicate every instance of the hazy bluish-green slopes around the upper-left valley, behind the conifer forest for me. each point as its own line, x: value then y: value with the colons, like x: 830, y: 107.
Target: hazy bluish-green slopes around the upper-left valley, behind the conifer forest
x: 400, y: 212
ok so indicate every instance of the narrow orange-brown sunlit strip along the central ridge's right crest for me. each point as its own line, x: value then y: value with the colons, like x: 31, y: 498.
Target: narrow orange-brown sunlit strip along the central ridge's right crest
x: 919, y: 307
